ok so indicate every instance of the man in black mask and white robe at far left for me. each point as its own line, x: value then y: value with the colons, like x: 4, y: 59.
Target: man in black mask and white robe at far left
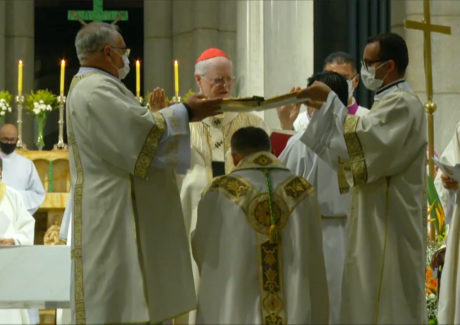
x: 18, y: 171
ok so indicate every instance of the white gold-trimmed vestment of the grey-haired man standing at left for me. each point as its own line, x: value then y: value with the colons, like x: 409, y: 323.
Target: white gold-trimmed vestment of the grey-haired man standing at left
x: 130, y: 258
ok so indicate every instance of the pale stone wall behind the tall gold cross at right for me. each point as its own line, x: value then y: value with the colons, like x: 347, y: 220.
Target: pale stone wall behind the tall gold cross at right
x: 446, y: 84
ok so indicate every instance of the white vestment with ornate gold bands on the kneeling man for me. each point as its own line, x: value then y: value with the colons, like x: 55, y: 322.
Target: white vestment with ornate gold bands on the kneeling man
x: 245, y: 279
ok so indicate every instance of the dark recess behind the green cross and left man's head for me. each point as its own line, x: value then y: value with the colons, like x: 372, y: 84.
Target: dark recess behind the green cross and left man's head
x: 54, y: 40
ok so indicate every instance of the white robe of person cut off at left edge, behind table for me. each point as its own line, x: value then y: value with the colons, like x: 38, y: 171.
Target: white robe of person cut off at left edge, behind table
x: 17, y: 223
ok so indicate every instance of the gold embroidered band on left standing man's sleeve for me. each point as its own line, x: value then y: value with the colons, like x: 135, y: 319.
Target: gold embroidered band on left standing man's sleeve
x: 144, y: 160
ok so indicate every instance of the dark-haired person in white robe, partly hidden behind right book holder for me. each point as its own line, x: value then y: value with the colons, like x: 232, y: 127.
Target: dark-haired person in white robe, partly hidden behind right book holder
x: 333, y: 205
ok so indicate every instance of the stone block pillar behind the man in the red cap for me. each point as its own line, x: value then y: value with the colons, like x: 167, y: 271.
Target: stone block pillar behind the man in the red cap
x: 181, y: 30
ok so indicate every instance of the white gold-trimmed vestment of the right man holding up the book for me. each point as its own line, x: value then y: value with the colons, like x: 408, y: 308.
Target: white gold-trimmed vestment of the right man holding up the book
x: 382, y: 155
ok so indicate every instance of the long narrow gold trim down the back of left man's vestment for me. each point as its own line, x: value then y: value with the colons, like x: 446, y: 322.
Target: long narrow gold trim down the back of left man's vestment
x: 77, y: 252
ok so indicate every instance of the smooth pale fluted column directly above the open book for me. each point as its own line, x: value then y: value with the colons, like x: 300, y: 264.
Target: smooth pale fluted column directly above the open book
x: 275, y: 48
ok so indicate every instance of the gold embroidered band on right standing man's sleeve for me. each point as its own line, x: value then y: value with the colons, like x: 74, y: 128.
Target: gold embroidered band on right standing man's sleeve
x: 355, y: 151
